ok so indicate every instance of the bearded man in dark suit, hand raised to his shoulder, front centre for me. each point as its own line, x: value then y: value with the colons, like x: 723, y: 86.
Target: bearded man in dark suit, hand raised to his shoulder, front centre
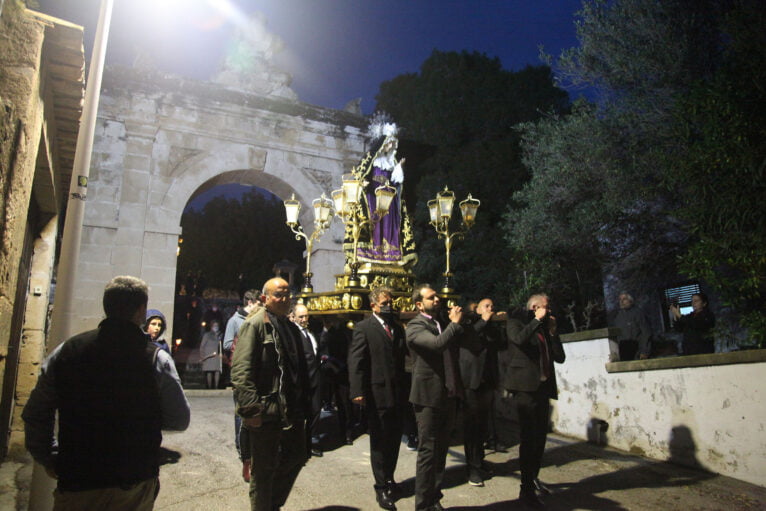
x: 436, y: 389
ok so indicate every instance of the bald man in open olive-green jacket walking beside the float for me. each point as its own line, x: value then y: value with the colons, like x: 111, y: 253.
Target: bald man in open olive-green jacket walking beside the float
x: 271, y: 388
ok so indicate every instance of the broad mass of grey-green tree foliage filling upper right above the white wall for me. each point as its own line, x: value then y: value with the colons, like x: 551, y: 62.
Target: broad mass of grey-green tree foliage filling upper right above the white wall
x: 641, y: 178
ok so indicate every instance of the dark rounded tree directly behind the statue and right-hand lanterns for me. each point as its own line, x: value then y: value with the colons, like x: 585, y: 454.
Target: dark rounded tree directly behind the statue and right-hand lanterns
x: 464, y: 105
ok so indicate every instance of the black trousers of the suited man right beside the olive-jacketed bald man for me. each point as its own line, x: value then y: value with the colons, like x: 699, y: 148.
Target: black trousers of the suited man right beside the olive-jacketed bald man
x: 385, y: 427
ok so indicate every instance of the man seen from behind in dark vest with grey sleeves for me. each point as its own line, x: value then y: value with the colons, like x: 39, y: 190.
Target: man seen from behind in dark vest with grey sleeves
x: 114, y: 391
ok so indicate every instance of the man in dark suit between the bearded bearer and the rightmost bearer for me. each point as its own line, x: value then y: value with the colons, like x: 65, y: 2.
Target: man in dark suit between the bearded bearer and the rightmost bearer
x: 479, y: 372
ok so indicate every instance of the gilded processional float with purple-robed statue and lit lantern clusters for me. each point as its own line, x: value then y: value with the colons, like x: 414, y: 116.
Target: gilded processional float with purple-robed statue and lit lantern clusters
x: 378, y: 243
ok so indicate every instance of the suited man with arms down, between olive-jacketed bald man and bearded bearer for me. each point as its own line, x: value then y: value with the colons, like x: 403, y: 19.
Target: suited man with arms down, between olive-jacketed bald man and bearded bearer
x: 376, y: 373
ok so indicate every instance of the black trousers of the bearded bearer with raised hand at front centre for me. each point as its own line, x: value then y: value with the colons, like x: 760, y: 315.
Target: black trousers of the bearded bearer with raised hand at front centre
x: 434, y: 428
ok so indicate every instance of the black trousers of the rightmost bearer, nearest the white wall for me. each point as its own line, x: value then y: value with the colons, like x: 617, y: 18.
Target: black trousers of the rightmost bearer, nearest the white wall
x: 534, y: 409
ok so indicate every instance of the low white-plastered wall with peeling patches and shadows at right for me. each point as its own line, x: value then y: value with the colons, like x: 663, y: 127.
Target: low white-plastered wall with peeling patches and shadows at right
x: 704, y: 411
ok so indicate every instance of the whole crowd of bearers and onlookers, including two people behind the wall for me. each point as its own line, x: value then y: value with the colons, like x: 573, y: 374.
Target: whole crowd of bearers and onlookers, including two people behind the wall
x: 116, y: 387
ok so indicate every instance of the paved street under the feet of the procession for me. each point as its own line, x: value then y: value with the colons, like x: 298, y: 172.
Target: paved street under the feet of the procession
x: 203, y: 473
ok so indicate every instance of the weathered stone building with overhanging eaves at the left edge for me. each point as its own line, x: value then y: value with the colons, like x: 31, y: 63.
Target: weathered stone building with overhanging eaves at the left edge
x: 41, y: 62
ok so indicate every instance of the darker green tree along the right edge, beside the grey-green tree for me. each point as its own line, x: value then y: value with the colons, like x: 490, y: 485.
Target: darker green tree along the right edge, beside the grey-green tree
x: 723, y: 124
